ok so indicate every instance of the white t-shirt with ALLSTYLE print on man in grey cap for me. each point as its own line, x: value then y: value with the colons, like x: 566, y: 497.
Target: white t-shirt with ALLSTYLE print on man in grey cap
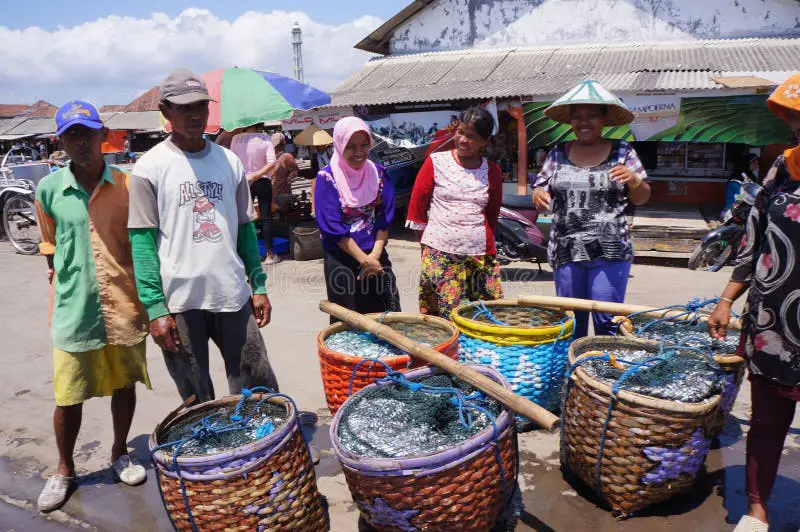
x: 197, y: 202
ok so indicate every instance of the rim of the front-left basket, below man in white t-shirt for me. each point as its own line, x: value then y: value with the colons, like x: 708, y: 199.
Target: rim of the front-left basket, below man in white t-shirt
x: 164, y: 458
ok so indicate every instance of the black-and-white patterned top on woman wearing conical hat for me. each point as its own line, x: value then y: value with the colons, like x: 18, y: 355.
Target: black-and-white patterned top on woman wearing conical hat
x: 589, y: 209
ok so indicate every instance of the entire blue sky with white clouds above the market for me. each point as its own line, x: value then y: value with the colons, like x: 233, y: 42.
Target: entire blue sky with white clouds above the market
x: 110, y: 52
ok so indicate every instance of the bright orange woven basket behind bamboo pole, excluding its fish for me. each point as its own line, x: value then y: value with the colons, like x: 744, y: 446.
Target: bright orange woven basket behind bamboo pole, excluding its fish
x: 337, y: 368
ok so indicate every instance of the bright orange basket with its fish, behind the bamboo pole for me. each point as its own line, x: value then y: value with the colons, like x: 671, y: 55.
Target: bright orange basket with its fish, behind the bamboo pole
x: 342, y: 348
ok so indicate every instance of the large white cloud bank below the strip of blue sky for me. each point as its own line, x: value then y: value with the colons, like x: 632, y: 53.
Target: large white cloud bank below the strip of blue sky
x: 114, y: 59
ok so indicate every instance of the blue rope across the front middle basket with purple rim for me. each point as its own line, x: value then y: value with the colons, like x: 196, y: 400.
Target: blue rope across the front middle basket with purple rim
x: 458, y: 400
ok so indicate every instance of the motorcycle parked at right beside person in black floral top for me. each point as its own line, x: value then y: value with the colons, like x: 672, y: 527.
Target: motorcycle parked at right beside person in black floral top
x: 720, y: 246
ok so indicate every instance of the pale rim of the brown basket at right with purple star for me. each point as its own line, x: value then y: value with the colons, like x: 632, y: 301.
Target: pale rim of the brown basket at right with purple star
x: 632, y: 397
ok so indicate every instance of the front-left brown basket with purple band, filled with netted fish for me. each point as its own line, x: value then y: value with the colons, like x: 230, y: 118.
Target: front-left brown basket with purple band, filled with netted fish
x: 237, y: 463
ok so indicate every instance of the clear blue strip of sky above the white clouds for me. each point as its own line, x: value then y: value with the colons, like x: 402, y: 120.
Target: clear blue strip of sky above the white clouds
x: 50, y: 14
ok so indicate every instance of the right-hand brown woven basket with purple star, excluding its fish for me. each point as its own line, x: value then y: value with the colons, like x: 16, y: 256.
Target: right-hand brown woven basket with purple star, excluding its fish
x: 652, y: 450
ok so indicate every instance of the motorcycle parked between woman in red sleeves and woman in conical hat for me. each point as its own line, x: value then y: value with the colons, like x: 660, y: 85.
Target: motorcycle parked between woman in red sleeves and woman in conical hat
x: 517, y: 237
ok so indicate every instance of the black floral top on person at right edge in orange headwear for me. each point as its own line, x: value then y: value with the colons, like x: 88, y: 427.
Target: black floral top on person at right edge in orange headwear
x: 768, y: 261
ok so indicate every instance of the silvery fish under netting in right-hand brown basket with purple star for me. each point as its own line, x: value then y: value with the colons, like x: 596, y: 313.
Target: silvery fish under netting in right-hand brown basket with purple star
x: 674, y: 374
